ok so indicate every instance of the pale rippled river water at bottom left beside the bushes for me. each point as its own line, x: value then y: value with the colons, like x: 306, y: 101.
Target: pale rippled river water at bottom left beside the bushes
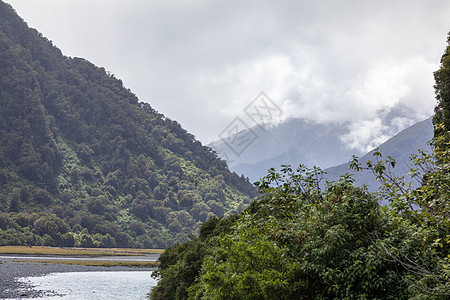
x: 95, y: 285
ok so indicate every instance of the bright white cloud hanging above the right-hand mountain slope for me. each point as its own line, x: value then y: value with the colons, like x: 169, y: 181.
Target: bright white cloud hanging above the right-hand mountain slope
x: 385, y: 88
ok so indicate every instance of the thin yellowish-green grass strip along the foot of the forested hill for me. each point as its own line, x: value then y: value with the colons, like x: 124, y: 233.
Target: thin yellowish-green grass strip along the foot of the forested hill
x: 91, y: 252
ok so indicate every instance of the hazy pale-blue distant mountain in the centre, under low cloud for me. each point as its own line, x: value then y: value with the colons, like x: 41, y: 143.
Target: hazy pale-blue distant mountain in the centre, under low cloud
x: 291, y: 142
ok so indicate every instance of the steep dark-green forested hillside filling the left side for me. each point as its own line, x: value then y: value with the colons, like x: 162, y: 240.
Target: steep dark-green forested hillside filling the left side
x: 84, y: 163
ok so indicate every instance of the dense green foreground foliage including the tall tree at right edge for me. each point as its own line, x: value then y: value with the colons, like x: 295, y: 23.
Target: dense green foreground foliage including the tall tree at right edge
x: 301, y: 240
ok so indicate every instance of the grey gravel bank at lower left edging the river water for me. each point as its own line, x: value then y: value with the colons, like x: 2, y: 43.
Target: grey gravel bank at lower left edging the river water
x: 9, y: 271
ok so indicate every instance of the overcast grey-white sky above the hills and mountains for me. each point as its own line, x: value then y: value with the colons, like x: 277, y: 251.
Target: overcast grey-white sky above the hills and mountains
x: 202, y: 63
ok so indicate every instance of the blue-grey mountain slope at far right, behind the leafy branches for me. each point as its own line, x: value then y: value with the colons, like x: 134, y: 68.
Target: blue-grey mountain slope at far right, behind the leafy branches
x: 401, y: 146
